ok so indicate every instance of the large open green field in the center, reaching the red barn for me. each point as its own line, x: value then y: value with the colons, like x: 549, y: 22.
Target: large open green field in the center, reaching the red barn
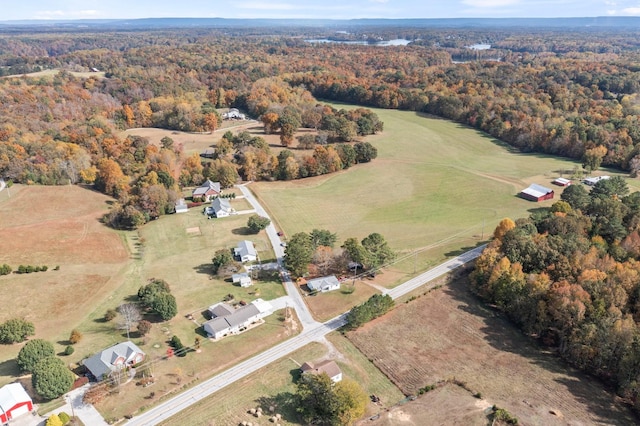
x: 434, y: 183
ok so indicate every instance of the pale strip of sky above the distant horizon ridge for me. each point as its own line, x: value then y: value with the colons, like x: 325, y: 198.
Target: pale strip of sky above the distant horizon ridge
x: 332, y: 9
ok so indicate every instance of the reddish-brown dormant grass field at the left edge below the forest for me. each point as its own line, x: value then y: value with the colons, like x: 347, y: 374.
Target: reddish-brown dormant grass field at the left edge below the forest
x: 56, y: 226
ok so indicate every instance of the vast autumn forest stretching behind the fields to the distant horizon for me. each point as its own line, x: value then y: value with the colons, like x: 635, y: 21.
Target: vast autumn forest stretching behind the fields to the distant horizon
x: 572, y: 93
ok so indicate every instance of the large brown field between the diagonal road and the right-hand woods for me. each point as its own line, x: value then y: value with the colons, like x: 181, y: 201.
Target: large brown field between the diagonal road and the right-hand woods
x: 448, y: 334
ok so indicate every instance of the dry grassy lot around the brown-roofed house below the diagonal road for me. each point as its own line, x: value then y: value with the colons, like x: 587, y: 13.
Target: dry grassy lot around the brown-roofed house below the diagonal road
x: 273, y: 384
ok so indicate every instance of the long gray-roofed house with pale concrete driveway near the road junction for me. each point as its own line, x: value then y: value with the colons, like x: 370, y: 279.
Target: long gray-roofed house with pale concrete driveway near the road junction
x: 227, y: 320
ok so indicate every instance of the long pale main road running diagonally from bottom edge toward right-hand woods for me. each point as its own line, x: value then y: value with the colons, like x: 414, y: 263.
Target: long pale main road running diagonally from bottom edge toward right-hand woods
x: 182, y: 401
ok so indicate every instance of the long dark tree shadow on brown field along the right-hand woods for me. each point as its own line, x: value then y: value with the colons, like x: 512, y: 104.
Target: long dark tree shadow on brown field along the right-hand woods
x: 502, y: 335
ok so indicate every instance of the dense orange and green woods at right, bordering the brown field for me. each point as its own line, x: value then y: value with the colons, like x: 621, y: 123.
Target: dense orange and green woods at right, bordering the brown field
x: 570, y: 276
